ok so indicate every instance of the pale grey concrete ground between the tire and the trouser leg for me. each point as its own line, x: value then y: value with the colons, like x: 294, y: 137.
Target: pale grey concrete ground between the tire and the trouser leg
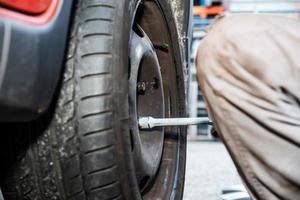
x: 209, y: 169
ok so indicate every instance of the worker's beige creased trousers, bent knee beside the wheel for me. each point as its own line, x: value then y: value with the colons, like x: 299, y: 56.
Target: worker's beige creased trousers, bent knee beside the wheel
x: 249, y: 72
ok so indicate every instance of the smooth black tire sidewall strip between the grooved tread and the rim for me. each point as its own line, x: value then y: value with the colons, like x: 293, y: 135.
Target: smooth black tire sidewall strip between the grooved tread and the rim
x: 124, y: 19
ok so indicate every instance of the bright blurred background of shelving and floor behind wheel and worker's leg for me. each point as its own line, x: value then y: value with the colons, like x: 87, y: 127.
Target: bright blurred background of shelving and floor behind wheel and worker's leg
x: 210, y: 171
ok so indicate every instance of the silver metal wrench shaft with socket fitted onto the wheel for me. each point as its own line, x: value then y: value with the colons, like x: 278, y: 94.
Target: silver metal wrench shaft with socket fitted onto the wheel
x: 150, y: 122
